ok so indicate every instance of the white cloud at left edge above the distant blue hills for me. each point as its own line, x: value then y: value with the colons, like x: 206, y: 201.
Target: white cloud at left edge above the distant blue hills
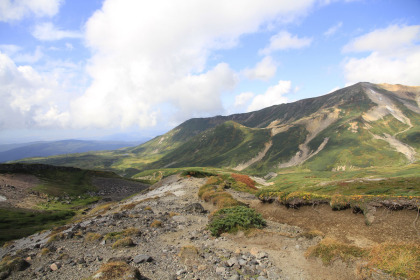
x: 28, y: 97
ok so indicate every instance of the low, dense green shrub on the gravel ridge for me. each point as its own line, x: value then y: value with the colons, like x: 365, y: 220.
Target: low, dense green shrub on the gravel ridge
x: 235, y: 218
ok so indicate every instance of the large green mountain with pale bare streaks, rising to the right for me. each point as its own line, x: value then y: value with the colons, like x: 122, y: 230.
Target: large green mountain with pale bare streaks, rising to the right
x: 359, y: 126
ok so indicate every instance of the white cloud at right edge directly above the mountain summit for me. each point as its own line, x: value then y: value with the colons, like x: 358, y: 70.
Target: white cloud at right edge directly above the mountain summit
x: 394, y: 56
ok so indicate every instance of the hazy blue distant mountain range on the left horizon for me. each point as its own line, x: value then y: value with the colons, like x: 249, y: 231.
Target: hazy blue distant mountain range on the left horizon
x: 13, y: 152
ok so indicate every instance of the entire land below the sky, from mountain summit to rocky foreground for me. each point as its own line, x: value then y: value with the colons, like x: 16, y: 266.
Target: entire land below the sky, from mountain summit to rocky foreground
x: 322, y: 188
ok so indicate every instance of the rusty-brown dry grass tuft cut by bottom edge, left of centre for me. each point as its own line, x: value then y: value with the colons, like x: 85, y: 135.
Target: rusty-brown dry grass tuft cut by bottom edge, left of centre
x: 116, y: 270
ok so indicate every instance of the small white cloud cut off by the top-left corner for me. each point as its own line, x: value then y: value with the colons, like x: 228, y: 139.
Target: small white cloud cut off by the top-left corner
x: 14, y: 10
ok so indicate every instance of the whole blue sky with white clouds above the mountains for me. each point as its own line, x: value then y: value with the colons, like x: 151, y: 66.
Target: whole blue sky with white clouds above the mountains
x: 129, y: 69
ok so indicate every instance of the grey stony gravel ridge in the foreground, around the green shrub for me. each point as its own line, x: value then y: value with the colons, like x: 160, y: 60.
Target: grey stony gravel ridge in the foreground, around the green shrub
x: 161, y: 234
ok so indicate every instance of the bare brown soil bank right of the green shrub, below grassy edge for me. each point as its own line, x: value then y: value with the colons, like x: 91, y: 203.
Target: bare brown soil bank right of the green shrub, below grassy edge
x: 344, y: 225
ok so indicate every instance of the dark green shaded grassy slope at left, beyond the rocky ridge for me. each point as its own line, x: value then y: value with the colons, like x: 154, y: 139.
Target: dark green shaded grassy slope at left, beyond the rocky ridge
x: 71, y: 183
